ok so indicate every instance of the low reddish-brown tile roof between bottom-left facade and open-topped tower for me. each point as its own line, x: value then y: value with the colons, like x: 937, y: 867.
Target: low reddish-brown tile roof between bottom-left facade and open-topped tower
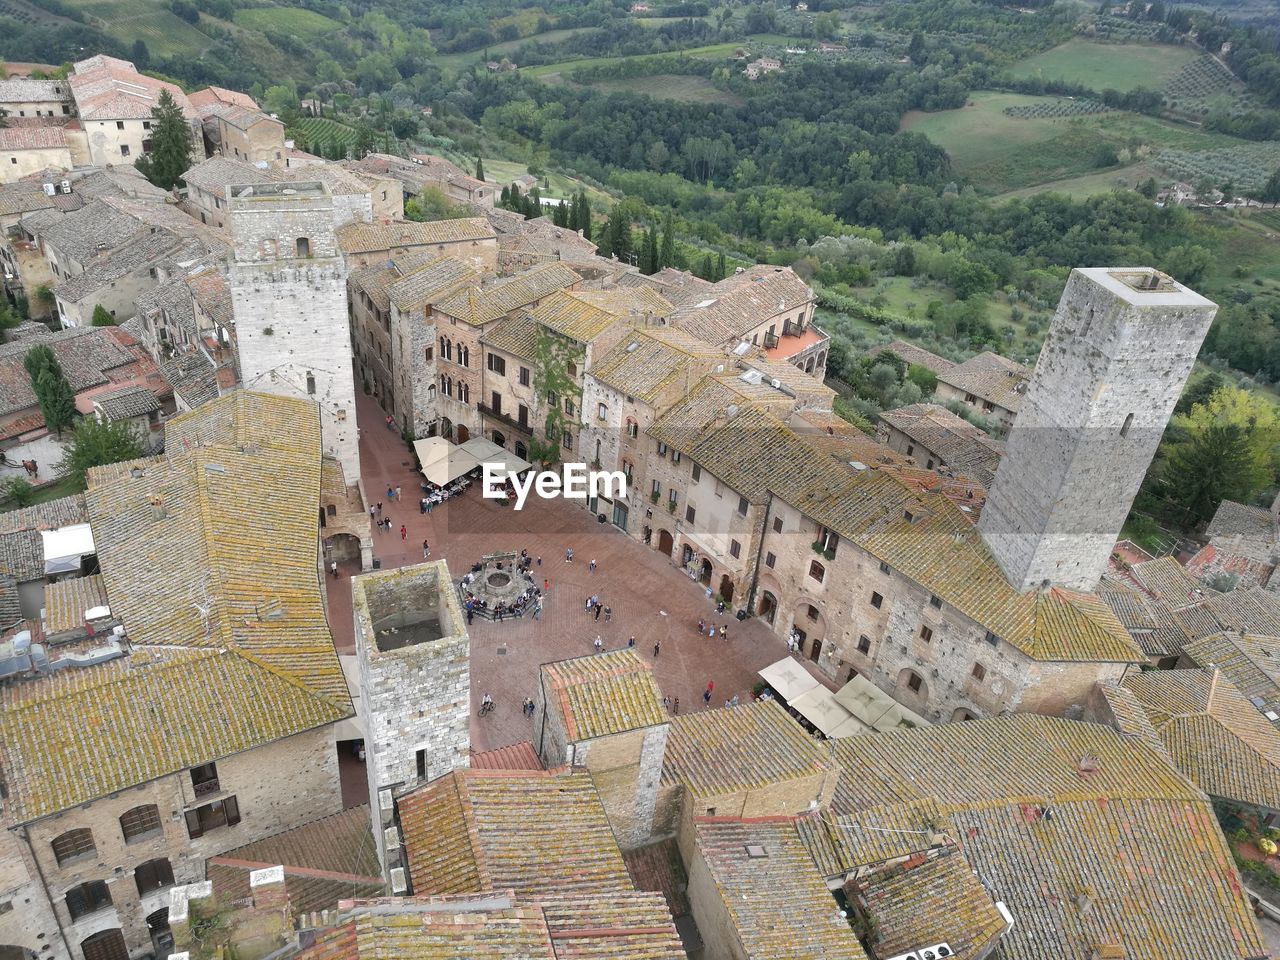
x: 324, y: 861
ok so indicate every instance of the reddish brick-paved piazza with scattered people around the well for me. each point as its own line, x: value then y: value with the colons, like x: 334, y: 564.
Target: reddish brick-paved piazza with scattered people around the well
x: 651, y: 598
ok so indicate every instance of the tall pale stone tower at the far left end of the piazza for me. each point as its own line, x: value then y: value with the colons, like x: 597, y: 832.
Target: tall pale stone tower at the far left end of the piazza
x: 289, y: 287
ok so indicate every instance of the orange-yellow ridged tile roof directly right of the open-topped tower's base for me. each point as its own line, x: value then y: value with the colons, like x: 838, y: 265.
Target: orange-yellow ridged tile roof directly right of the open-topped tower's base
x: 537, y: 834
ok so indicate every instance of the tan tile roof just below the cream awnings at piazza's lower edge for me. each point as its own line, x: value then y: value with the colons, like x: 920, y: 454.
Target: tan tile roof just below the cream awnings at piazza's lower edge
x: 740, y: 748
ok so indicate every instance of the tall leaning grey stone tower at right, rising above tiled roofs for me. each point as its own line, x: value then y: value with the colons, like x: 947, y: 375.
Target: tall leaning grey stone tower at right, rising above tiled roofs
x: 1113, y: 367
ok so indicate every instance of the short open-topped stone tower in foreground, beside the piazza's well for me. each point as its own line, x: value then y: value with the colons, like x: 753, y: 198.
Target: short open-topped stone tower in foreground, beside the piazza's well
x: 415, y: 679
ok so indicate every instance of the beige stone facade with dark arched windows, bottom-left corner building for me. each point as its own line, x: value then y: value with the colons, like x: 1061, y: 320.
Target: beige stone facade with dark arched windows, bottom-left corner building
x: 275, y: 788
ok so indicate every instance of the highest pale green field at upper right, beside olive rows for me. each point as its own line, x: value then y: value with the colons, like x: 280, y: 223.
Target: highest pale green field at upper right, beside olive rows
x: 1108, y: 66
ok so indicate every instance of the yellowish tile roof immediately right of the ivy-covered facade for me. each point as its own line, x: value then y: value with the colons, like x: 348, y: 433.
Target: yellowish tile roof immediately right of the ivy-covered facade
x: 643, y: 365
